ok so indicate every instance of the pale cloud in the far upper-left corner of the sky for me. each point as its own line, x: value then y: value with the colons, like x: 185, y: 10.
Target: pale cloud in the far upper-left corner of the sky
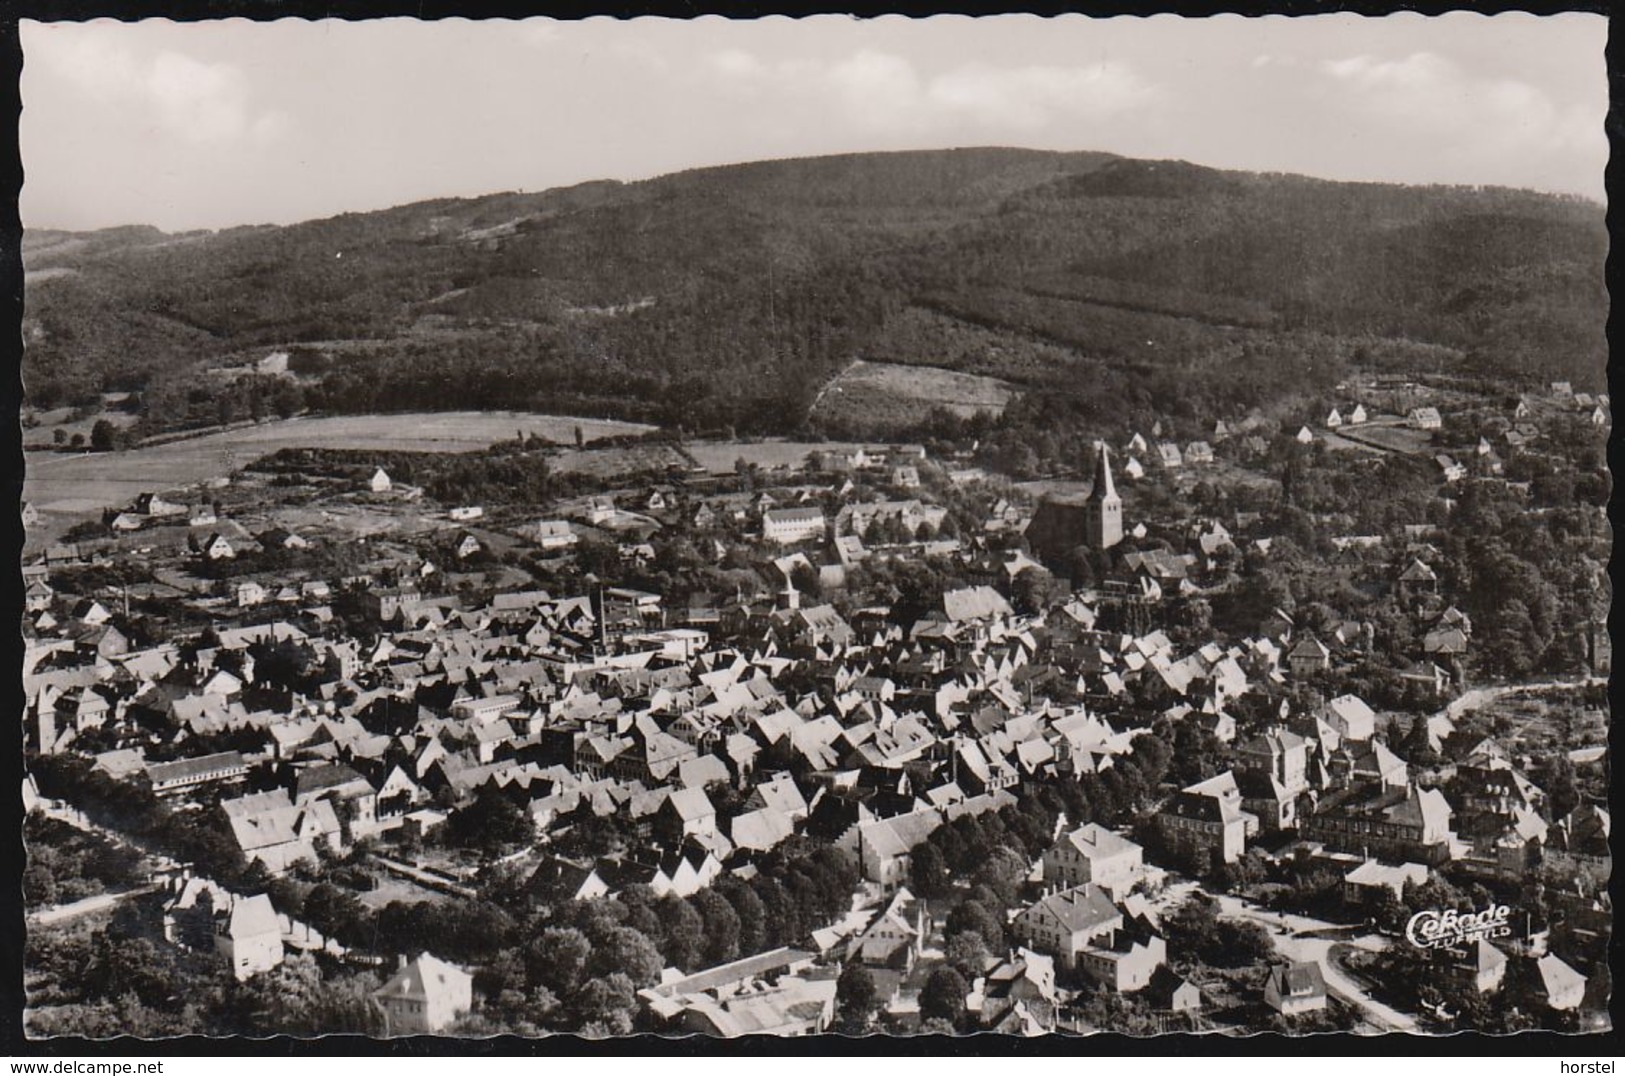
x: 197, y: 102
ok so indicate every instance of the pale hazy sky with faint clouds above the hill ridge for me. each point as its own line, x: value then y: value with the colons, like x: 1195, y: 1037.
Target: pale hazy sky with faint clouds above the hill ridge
x: 232, y: 123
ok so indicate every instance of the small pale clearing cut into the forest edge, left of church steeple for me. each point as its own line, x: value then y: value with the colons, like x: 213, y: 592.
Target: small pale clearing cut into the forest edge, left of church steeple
x: 888, y: 393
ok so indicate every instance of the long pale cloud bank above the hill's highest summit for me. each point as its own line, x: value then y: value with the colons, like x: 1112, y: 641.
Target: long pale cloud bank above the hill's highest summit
x: 886, y: 92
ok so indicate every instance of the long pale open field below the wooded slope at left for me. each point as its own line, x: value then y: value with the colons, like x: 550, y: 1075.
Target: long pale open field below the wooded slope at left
x: 66, y: 488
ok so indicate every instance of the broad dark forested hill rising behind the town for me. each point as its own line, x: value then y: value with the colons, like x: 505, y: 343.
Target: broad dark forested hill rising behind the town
x: 730, y: 295
